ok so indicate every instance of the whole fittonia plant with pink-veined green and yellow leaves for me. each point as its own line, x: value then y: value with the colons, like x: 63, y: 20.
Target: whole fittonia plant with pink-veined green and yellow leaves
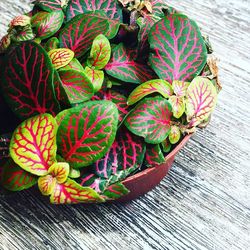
x: 94, y: 91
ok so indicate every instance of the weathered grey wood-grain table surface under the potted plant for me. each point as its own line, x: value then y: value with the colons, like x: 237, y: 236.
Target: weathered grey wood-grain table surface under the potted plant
x: 205, y: 201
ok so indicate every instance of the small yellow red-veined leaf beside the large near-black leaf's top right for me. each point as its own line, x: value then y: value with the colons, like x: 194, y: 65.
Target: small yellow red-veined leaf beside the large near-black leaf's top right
x: 61, y: 57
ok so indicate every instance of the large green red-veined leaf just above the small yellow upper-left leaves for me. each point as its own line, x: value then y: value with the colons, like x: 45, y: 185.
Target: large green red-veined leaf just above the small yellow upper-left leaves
x: 79, y: 33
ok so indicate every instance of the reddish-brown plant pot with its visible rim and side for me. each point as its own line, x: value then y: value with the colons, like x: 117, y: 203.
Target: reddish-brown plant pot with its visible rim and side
x: 146, y: 180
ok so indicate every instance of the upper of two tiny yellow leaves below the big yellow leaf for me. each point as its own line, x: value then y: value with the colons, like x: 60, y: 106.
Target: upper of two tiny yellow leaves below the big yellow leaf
x: 60, y: 170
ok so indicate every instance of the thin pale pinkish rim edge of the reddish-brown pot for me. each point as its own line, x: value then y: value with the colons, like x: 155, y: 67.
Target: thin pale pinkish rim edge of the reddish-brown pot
x: 169, y: 156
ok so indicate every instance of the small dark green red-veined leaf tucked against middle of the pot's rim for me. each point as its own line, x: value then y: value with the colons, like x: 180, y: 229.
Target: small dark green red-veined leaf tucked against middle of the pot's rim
x: 154, y: 156
